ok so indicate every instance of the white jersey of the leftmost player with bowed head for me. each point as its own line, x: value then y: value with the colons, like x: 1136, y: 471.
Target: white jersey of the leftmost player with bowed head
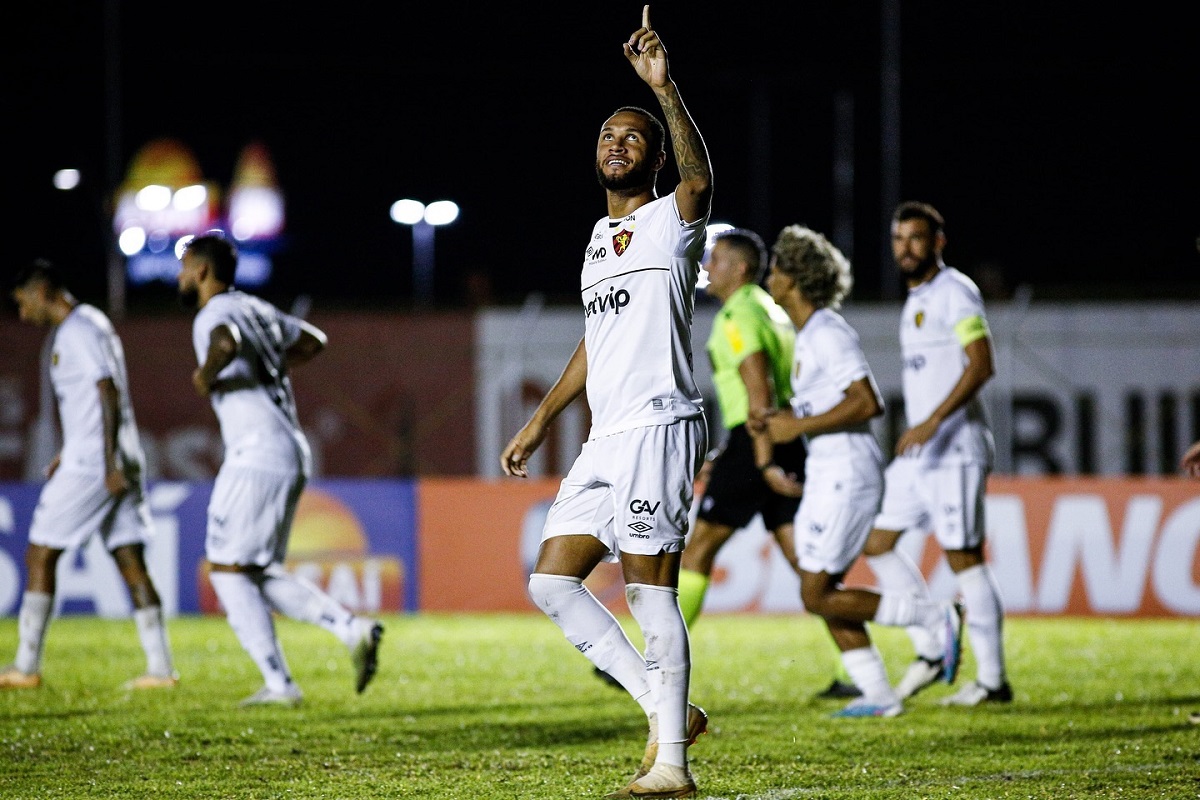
x: 87, y: 351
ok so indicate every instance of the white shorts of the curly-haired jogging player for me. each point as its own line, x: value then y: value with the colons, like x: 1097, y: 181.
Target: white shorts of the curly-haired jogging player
x: 833, y: 521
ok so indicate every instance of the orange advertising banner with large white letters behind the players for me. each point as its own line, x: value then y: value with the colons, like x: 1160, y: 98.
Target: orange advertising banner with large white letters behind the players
x: 1070, y: 546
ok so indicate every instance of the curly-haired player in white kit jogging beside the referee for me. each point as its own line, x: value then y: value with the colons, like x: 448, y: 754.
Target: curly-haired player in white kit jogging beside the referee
x: 835, y: 399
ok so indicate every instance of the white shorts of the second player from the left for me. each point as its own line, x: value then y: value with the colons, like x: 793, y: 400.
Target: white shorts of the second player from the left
x: 250, y: 515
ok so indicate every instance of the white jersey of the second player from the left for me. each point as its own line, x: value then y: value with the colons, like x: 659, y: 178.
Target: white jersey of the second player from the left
x: 254, y: 400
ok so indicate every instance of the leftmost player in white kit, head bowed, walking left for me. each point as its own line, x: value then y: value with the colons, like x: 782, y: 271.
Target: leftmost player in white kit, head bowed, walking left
x: 97, y: 483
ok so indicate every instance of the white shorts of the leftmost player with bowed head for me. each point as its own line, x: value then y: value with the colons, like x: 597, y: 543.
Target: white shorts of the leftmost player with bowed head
x: 74, y: 507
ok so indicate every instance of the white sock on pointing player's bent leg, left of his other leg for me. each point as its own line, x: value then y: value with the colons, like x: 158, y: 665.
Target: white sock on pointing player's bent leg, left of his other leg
x: 593, y: 630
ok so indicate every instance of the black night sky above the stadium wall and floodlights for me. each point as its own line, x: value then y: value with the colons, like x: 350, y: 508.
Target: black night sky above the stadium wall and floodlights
x: 1059, y: 140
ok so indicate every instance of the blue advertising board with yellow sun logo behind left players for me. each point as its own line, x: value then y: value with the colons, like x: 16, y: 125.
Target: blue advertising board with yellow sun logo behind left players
x: 356, y: 538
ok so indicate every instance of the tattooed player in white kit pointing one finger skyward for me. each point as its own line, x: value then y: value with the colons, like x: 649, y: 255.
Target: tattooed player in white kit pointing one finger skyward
x: 628, y: 495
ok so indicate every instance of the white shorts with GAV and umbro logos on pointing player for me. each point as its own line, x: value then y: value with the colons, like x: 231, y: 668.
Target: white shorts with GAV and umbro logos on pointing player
x: 633, y: 490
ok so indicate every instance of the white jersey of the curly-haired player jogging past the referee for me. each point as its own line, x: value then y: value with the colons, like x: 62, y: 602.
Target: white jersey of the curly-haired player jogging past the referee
x: 827, y: 359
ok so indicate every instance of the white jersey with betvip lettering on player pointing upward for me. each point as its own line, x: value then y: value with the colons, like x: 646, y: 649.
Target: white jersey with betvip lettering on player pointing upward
x: 639, y: 290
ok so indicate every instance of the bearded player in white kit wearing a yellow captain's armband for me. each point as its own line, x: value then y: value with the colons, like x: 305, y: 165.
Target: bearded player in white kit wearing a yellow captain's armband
x: 939, y: 477
